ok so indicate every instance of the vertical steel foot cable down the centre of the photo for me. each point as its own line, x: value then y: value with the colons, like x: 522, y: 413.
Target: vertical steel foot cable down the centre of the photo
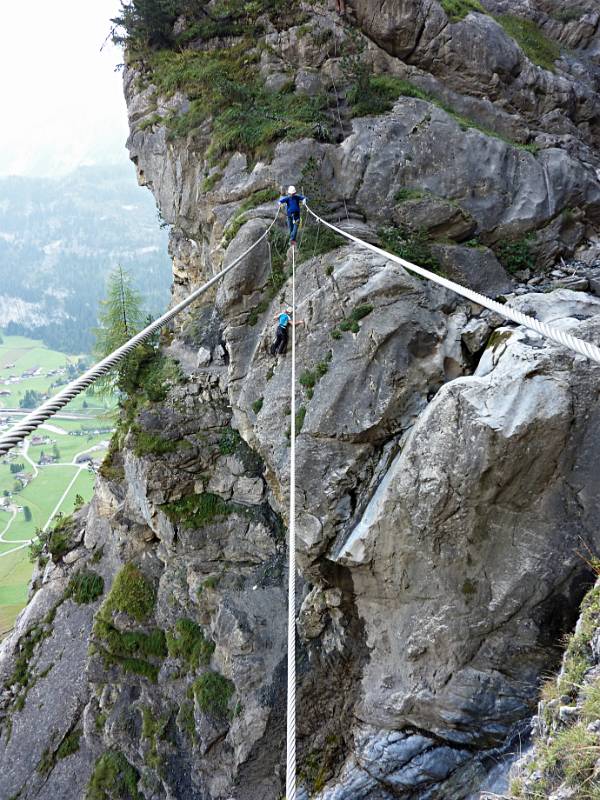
x: 290, y: 781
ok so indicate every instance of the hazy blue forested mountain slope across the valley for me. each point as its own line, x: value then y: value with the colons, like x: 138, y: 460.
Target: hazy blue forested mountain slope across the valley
x: 59, y: 238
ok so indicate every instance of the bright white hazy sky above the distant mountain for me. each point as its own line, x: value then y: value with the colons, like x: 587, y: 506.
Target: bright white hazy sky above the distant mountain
x: 61, y: 102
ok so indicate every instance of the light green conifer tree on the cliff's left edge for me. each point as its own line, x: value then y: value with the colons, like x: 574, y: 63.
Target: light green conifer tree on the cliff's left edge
x: 120, y: 318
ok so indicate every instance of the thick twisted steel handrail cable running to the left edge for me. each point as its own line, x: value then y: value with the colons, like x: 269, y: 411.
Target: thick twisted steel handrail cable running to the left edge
x: 33, y: 420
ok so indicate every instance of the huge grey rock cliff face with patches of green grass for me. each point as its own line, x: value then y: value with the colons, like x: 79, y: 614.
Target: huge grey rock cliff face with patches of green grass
x: 446, y: 463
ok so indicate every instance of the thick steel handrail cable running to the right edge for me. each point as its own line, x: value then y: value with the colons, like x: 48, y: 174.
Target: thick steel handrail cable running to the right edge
x: 579, y: 346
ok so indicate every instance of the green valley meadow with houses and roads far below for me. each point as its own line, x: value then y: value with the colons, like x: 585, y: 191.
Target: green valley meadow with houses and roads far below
x: 51, y: 477
